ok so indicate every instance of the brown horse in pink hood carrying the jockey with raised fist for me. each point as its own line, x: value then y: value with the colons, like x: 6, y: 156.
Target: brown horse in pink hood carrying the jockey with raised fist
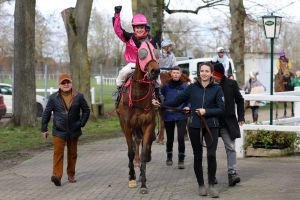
x: 136, y: 112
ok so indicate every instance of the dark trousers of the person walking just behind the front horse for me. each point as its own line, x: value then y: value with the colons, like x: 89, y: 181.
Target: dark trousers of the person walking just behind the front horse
x: 181, y: 130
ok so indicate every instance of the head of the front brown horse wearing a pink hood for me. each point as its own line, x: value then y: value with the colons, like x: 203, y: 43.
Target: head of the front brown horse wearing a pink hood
x: 148, y: 60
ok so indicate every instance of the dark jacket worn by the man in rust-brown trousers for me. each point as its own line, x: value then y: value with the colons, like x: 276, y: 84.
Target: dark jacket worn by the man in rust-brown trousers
x: 66, y: 123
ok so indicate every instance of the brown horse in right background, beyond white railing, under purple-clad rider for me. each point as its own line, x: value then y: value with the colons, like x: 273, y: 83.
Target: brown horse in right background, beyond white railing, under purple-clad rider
x: 282, y: 80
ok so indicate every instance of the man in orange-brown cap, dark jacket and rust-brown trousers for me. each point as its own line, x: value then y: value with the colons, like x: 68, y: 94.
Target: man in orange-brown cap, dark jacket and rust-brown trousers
x: 66, y: 105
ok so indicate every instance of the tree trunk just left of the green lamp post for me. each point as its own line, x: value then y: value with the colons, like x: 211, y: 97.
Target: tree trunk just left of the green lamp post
x: 237, y: 45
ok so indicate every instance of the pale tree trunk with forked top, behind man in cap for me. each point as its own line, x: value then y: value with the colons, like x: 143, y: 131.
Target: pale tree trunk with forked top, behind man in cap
x: 76, y: 22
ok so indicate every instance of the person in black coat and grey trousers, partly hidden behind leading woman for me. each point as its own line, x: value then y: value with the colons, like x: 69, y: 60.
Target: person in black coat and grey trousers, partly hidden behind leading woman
x: 229, y: 124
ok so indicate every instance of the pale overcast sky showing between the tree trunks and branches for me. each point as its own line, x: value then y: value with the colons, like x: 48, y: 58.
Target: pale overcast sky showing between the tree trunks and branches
x: 289, y: 9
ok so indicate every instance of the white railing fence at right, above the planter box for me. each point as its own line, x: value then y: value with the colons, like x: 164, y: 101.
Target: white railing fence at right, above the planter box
x: 278, y: 124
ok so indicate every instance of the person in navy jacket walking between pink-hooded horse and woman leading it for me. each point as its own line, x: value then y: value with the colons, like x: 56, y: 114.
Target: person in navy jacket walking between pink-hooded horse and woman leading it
x: 171, y: 118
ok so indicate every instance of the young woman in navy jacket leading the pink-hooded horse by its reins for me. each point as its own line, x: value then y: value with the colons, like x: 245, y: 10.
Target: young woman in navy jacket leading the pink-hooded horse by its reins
x: 206, y: 99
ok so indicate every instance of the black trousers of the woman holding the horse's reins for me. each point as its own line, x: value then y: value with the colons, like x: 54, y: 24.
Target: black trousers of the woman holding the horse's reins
x: 194, y: 134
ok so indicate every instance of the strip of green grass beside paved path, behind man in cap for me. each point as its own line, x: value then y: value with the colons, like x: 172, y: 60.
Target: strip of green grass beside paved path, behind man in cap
x: 16, y: 139
